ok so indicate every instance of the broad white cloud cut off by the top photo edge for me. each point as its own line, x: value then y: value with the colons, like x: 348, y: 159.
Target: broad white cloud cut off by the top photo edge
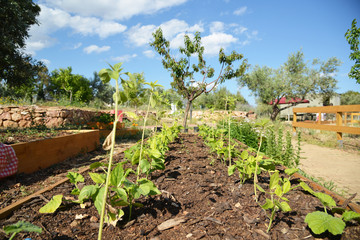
x: 113, y: 9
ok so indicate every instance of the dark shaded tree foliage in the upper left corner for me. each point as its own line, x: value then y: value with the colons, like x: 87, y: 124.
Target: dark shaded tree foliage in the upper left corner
x: 16, y: 17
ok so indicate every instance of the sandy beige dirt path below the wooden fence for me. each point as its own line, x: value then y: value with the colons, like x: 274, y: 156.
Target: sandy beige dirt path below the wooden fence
x: 334, y: 165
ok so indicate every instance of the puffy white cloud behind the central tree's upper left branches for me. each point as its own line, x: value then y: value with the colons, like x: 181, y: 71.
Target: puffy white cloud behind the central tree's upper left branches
x: 172, y: 30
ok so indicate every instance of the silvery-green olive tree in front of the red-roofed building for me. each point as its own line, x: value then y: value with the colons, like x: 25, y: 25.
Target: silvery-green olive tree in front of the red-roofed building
x: 293, y: 80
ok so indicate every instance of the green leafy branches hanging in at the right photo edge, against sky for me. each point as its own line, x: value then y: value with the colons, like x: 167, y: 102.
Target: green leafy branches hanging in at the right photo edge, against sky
x: 352, y: 36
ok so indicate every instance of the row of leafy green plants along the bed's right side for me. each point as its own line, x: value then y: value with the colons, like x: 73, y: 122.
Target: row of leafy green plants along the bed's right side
x: 251, y: 162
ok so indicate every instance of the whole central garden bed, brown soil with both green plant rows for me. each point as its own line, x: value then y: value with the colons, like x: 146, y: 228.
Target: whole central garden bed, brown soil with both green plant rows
x: 194, y: 197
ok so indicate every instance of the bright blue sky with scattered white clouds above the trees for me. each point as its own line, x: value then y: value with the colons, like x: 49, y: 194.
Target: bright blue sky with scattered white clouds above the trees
x: 87, y: 34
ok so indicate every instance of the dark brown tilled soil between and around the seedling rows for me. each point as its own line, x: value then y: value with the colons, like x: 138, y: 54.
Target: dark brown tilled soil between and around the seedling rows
x: 202, y: 198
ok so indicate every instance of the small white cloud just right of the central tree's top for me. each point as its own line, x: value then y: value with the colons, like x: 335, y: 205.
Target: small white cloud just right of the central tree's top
x: 215, y: 41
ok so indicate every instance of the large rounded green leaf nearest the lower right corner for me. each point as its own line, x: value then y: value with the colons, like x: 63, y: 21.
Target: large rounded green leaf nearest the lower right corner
x: 320, y: 222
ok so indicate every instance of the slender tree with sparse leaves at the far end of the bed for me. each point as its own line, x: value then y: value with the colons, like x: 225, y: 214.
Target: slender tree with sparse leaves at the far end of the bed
x: 183, y: 72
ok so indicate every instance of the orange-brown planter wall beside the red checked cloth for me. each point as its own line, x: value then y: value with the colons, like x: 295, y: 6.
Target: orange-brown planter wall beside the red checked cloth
x: 44, y: 153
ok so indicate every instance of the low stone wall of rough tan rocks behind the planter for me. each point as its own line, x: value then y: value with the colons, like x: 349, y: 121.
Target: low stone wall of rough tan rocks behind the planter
x: 26, y: 116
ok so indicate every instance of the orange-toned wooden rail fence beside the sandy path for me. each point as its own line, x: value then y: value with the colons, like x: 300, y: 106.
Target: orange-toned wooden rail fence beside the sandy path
x: 339, y: 125
